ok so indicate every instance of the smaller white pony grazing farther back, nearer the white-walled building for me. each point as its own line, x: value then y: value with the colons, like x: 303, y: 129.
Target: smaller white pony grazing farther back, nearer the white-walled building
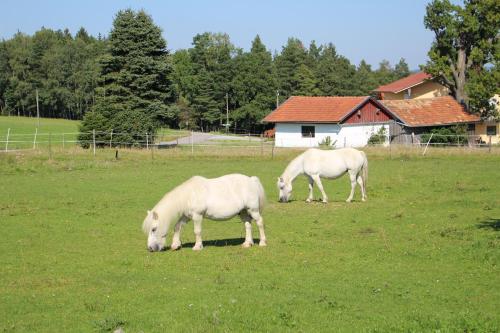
x: 316, y: 164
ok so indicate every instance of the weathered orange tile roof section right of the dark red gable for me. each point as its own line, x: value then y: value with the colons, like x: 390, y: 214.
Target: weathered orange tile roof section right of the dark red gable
x: 430, y: 111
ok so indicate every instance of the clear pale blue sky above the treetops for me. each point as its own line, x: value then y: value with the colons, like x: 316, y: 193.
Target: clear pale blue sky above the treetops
x: 360, y: 29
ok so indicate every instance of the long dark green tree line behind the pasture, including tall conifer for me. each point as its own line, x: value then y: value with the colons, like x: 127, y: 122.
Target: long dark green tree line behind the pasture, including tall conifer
x: 132, y: 69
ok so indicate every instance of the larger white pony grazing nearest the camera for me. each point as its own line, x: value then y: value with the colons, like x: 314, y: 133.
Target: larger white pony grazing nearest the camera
x: 218, y: 199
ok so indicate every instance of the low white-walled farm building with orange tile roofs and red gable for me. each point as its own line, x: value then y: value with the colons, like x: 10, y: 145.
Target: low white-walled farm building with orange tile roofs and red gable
x: 303, y: 121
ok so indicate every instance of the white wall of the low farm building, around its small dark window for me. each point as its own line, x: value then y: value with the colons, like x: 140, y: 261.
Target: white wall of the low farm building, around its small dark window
x: 290, y: 134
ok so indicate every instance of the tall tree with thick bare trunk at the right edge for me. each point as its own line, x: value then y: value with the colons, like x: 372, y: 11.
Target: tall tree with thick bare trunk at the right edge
x: 465, y: 40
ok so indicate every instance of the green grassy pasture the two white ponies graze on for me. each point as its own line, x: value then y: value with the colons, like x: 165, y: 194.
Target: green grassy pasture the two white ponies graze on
x: 421, y: 255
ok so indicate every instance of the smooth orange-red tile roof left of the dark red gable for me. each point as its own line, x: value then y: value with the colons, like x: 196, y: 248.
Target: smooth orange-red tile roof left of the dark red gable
x: 314, y: 109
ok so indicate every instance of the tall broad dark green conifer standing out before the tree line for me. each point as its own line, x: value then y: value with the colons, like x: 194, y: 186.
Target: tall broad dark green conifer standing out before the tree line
x: 136, y: 88
